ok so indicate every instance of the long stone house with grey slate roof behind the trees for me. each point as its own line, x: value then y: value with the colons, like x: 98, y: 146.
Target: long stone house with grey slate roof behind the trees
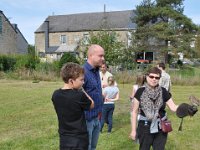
x: 61, y: 33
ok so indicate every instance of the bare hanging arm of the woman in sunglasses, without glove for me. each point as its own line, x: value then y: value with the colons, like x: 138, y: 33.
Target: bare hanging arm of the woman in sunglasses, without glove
x: 134, y: 119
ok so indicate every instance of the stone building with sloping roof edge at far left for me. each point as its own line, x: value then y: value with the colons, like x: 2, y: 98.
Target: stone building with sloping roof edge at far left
x: 12, y: 40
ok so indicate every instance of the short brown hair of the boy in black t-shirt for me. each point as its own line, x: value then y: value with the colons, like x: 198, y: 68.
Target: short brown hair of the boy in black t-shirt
x: 71, y: 71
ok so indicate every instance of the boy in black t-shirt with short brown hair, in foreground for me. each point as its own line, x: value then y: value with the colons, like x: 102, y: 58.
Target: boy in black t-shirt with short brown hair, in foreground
x: 69, y: 103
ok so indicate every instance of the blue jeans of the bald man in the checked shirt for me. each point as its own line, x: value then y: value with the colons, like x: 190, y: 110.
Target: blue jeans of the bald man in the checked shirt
x: 93, y: 128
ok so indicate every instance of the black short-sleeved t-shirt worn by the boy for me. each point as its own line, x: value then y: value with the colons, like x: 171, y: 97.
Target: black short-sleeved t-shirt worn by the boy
x: 70, y: 105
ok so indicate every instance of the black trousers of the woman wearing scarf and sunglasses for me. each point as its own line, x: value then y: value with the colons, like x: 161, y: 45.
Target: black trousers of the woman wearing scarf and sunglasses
x: 147, y: 139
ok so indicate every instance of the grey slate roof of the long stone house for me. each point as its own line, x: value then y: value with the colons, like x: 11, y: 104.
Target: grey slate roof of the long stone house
x: 90, y: 21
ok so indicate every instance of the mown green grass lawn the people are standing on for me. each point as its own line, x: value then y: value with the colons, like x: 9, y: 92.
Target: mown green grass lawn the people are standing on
x: 28, y: 120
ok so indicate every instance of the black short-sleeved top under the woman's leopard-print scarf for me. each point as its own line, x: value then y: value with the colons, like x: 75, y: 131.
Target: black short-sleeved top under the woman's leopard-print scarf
x: 165, y: 94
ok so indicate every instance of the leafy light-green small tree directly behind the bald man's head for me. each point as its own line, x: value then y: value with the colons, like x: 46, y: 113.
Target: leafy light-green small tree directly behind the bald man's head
x: 115, y: 50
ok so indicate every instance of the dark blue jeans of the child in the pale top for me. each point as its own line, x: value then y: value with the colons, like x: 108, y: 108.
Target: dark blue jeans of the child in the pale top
x: 107, y: 114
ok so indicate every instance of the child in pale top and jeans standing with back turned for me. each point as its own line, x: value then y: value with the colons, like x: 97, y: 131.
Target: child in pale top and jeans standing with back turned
x: 111, y: 94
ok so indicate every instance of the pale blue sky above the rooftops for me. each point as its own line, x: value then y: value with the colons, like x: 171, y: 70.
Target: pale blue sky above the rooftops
x: 30, y: 14
